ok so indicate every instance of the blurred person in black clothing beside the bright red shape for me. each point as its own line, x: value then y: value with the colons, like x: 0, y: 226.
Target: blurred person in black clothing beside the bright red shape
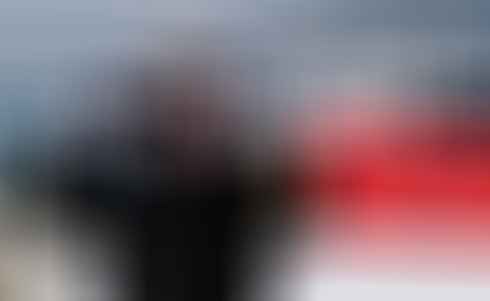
x: 174, y: 180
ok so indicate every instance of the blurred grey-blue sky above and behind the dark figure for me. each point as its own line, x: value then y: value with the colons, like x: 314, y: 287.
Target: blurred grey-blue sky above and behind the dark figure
x: 51, y: 48
